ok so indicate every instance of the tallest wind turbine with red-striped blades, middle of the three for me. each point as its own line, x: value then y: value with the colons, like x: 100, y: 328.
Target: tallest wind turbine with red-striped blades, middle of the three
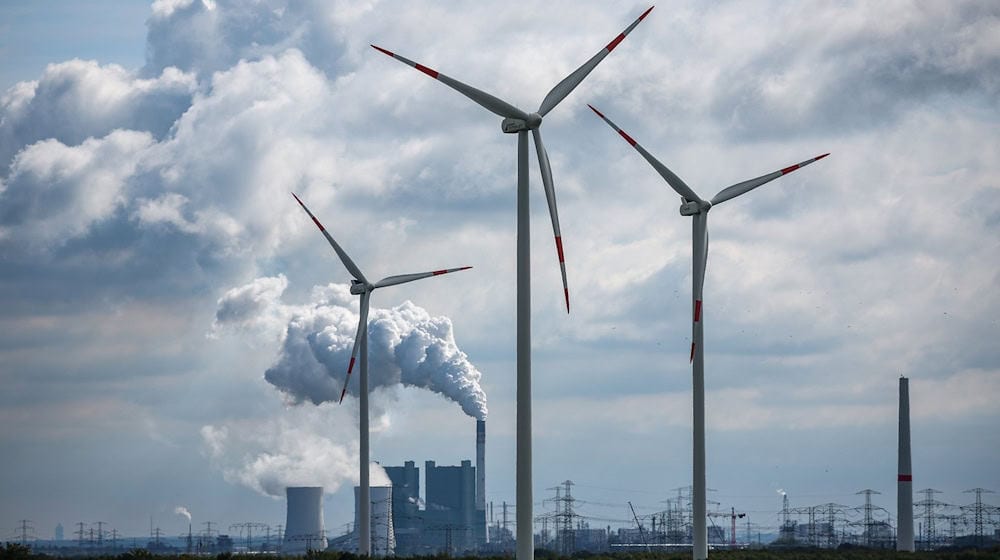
x: 518, y: 121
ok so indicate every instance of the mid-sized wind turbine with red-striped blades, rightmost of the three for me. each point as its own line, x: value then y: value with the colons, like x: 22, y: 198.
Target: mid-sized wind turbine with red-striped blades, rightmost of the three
x: 694, y: 206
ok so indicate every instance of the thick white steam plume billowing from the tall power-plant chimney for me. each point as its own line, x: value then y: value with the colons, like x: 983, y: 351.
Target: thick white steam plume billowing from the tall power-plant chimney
x: 406, y: 345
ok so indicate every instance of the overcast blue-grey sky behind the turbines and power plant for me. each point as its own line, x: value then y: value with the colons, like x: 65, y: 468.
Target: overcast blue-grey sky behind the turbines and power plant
x: 153, y: 266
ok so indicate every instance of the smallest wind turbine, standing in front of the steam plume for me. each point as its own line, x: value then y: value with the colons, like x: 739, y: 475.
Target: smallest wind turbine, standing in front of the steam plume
x: 360, y: 286
